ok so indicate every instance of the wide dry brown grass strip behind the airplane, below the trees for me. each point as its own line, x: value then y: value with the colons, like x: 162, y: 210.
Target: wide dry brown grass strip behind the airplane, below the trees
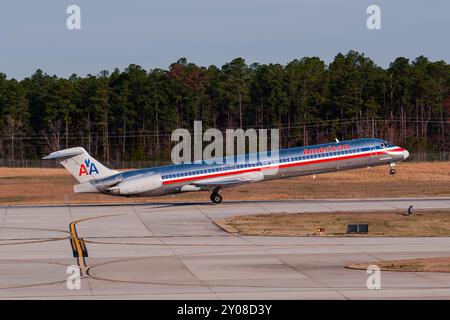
x: 19, y: 185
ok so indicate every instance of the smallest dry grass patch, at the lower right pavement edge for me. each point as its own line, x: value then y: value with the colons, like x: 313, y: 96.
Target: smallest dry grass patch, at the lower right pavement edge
x: 439, y: 264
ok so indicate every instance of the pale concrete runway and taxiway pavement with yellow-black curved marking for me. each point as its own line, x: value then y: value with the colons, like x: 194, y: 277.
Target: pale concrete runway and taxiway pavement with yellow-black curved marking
x: 175, y: 251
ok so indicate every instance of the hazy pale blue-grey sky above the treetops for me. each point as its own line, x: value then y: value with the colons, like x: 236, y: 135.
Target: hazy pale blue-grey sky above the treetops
x: 155, y: 33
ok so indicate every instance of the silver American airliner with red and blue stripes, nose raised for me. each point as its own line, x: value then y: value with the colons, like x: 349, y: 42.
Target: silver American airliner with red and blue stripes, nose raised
x: 93, y: 177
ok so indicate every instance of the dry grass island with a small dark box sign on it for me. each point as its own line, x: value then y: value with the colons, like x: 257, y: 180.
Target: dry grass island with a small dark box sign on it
x: 391, y: 224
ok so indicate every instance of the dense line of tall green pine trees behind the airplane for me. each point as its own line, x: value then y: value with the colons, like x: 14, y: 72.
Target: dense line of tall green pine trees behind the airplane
x: 129, y: 114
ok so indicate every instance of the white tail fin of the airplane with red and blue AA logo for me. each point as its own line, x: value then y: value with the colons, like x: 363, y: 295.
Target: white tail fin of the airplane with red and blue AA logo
x: 81, y: 165
